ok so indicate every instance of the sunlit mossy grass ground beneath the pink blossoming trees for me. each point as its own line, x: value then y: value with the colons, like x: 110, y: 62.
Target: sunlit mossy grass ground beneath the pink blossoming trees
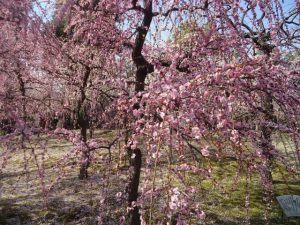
x: 71, y: 201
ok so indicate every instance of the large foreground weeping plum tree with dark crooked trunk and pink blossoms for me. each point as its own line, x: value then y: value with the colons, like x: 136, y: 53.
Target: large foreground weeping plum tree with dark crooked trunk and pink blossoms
x: 234, y: 63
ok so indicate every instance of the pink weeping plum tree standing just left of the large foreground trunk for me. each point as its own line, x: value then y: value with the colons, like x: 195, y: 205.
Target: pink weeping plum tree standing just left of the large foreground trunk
x: 89, y: 64
